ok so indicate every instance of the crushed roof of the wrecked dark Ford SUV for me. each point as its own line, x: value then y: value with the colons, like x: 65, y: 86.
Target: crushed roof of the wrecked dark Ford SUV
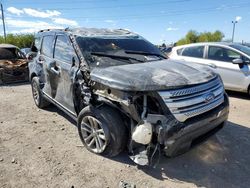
x: 93, y: 31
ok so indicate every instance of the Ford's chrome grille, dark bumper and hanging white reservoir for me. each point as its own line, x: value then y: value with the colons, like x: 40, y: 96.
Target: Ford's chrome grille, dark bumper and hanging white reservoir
x: 188, y: 113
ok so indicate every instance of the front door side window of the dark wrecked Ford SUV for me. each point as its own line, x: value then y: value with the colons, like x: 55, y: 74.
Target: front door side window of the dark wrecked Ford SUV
x: 63, y: 49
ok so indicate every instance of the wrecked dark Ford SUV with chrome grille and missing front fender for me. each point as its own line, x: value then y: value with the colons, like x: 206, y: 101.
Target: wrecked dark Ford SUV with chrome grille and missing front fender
x: 124, y: 93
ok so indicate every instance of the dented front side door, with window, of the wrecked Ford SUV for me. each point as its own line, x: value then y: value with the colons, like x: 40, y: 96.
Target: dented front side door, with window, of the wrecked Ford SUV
x: 66, y: 66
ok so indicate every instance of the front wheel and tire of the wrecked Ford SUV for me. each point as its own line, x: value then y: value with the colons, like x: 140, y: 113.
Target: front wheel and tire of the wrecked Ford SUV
x: 103, y: 127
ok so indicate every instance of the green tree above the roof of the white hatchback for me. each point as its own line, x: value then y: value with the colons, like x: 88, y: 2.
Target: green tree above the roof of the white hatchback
x: 193, y: 37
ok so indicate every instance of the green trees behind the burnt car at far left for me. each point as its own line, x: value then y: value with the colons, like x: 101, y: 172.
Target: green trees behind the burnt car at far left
x: 19, y: 40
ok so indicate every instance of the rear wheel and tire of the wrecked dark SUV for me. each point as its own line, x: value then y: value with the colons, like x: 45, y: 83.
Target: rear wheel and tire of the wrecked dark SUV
x: 39, y: 100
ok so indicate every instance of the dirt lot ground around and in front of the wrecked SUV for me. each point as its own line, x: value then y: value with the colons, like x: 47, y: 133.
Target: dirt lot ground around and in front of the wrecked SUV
x: 41, y: 148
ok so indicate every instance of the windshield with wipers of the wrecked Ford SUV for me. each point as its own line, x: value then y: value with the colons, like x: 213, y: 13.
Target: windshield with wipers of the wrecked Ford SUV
x: 103, y: 52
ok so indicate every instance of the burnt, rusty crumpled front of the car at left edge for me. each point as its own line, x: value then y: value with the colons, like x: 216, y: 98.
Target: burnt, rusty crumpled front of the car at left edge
x: 12, y: 71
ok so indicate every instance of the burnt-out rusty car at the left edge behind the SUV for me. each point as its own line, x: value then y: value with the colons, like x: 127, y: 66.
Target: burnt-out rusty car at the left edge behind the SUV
x: 13, y: 65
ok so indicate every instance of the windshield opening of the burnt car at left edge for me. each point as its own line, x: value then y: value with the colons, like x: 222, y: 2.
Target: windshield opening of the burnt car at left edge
x: 10, y: 53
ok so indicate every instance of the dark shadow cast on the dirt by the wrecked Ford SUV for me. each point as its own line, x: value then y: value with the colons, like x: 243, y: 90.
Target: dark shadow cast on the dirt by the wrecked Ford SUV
x: 222, y: 161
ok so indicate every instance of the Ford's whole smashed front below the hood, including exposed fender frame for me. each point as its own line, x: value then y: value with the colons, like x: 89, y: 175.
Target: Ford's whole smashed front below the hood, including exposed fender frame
x: 168, y: 120
